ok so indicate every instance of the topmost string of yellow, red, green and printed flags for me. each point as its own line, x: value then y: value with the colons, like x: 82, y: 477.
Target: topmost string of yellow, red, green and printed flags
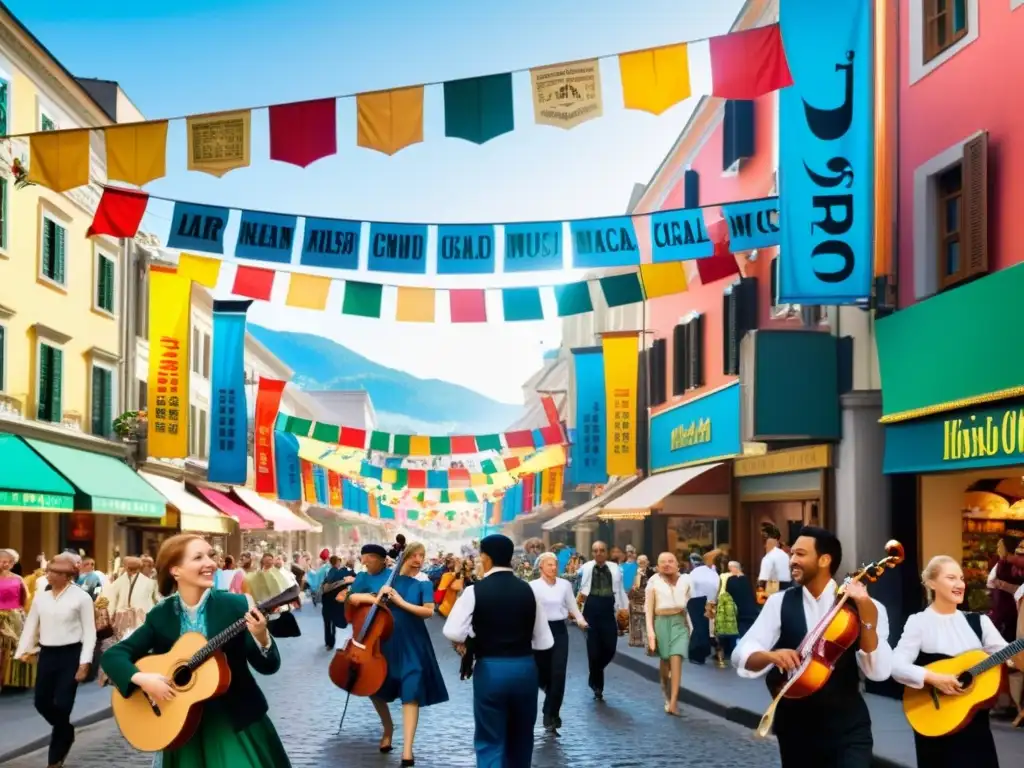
x: 744, y: 65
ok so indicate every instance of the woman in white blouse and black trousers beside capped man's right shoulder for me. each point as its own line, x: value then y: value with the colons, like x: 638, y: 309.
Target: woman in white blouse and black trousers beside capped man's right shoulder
x: 557, y: 596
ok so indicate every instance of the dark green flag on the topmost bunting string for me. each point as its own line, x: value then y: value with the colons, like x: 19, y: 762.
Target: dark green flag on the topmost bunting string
x: 479, y: 109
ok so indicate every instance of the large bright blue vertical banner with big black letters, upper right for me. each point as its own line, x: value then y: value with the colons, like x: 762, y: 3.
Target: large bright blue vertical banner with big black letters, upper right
x: 827, y: 153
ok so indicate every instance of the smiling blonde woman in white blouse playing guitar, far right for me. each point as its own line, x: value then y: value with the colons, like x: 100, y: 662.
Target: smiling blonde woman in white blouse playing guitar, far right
x: 943, y: 631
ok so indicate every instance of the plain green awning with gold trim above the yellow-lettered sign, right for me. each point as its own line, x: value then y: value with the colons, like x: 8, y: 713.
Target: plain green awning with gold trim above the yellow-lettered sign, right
x: 960, y: 349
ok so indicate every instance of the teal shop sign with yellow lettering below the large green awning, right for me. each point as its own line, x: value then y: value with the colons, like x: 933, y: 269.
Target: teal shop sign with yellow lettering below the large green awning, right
x: 963, y: 440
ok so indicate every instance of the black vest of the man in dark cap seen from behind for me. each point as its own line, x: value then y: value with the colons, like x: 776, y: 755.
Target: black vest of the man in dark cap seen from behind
x: 503, y: 619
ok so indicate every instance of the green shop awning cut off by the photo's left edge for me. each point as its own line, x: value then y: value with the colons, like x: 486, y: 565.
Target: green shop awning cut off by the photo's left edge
x: 28, y: 484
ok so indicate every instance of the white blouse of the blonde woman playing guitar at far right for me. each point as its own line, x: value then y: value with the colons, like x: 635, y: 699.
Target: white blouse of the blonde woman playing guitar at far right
x: 949, y: 634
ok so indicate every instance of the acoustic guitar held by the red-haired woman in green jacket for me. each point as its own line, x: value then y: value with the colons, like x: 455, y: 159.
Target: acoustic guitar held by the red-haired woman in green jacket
x: 198, y: 671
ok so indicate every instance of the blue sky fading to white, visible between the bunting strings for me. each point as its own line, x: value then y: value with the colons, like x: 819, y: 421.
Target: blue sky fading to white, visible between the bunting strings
x: 183, y: 57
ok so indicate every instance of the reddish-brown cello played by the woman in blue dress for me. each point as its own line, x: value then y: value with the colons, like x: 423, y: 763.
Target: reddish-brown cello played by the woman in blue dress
x: 361, y: 669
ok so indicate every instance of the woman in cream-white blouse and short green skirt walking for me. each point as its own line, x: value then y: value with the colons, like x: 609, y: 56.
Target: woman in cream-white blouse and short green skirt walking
x: 668, y: 625
